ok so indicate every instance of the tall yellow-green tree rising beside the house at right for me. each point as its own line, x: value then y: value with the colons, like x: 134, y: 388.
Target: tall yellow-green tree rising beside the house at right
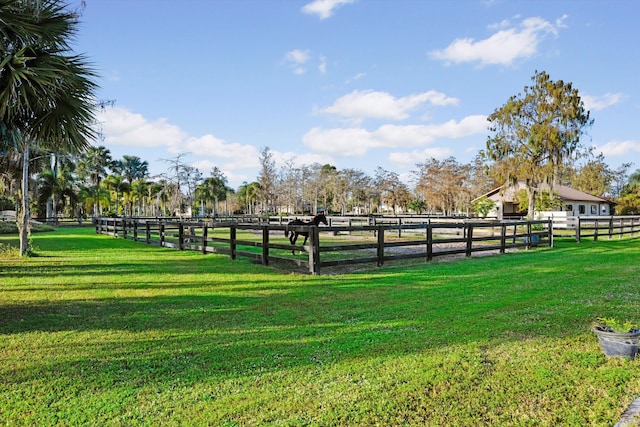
x: 536, y: 132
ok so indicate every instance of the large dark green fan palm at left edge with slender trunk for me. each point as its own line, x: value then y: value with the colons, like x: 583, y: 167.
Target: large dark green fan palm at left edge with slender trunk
x: 46, y: 93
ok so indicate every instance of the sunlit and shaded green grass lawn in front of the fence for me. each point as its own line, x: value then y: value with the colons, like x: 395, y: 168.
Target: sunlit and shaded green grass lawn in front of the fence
x: 103, y: 331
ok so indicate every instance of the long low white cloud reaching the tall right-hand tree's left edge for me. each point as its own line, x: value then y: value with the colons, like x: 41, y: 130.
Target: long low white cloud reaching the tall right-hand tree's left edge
x: 355, y: 141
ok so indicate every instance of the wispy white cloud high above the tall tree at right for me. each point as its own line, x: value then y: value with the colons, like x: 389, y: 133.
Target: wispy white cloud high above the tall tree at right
x: 504, y: 47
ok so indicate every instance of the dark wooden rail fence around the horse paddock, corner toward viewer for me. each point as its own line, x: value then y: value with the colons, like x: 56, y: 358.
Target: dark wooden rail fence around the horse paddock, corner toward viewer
x: 334, y: 245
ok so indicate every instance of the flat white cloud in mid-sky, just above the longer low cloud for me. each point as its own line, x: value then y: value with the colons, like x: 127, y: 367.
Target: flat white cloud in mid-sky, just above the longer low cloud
x: 381, y: 105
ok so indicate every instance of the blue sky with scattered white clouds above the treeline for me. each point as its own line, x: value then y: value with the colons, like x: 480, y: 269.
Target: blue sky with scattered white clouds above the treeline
x: 354, y: 83
